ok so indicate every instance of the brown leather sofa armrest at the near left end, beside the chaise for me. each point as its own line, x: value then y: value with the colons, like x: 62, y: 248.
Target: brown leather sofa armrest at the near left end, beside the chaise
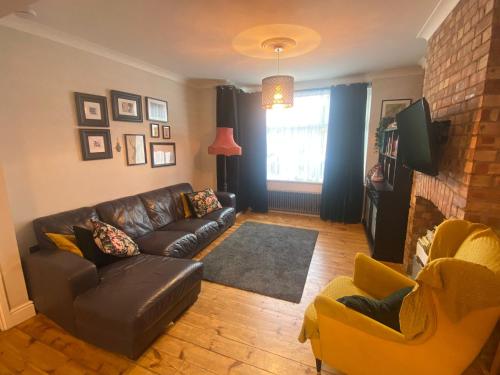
x: 55, y: 278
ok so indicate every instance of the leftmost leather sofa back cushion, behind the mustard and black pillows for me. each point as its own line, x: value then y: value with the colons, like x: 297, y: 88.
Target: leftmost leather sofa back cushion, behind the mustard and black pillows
x: 62, y: 223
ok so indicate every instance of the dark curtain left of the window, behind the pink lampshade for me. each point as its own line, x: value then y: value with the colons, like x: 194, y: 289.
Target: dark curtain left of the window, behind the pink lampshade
x: 246, y: 174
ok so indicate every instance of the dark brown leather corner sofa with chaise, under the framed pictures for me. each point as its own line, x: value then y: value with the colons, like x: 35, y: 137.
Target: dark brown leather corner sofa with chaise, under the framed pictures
x: 125, y: 305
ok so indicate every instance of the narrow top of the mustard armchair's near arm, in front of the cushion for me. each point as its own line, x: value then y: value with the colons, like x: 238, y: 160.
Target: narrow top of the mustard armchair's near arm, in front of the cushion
x: 328, y: 308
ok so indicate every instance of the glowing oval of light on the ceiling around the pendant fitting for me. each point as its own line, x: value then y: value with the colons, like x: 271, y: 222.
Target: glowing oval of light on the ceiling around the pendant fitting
x: 252, y: 42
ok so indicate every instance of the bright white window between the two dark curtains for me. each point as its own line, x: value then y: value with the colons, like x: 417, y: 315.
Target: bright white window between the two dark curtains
x: 296, y: 138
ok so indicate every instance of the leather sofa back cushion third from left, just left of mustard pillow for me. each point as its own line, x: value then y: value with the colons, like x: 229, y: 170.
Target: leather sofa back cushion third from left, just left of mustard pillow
x: 160, y: 206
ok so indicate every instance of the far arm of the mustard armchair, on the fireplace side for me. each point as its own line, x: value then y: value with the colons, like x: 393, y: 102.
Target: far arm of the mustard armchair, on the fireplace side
x: 377, y: 279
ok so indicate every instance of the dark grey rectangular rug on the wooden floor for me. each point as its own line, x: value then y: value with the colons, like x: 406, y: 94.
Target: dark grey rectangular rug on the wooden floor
x: 272, y: 260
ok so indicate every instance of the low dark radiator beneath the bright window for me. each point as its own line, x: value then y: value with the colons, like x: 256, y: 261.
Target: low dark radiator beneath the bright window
x: 304, y: 203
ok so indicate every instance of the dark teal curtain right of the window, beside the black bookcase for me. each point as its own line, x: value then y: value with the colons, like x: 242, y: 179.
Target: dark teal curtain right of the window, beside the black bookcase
x: 342, y: 192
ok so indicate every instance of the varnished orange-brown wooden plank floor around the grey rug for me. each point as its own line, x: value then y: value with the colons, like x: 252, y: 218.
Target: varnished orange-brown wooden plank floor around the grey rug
x: 227, y: 331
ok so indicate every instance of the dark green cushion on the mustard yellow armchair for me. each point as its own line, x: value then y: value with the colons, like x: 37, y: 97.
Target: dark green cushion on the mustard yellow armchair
x: 385, y: 311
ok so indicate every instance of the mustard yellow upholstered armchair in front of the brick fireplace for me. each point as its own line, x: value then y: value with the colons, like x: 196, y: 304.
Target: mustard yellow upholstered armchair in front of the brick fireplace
x: 452, y: 329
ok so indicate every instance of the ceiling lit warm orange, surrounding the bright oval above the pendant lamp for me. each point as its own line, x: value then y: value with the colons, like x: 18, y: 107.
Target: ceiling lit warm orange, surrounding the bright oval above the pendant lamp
x: 193, y: 38
